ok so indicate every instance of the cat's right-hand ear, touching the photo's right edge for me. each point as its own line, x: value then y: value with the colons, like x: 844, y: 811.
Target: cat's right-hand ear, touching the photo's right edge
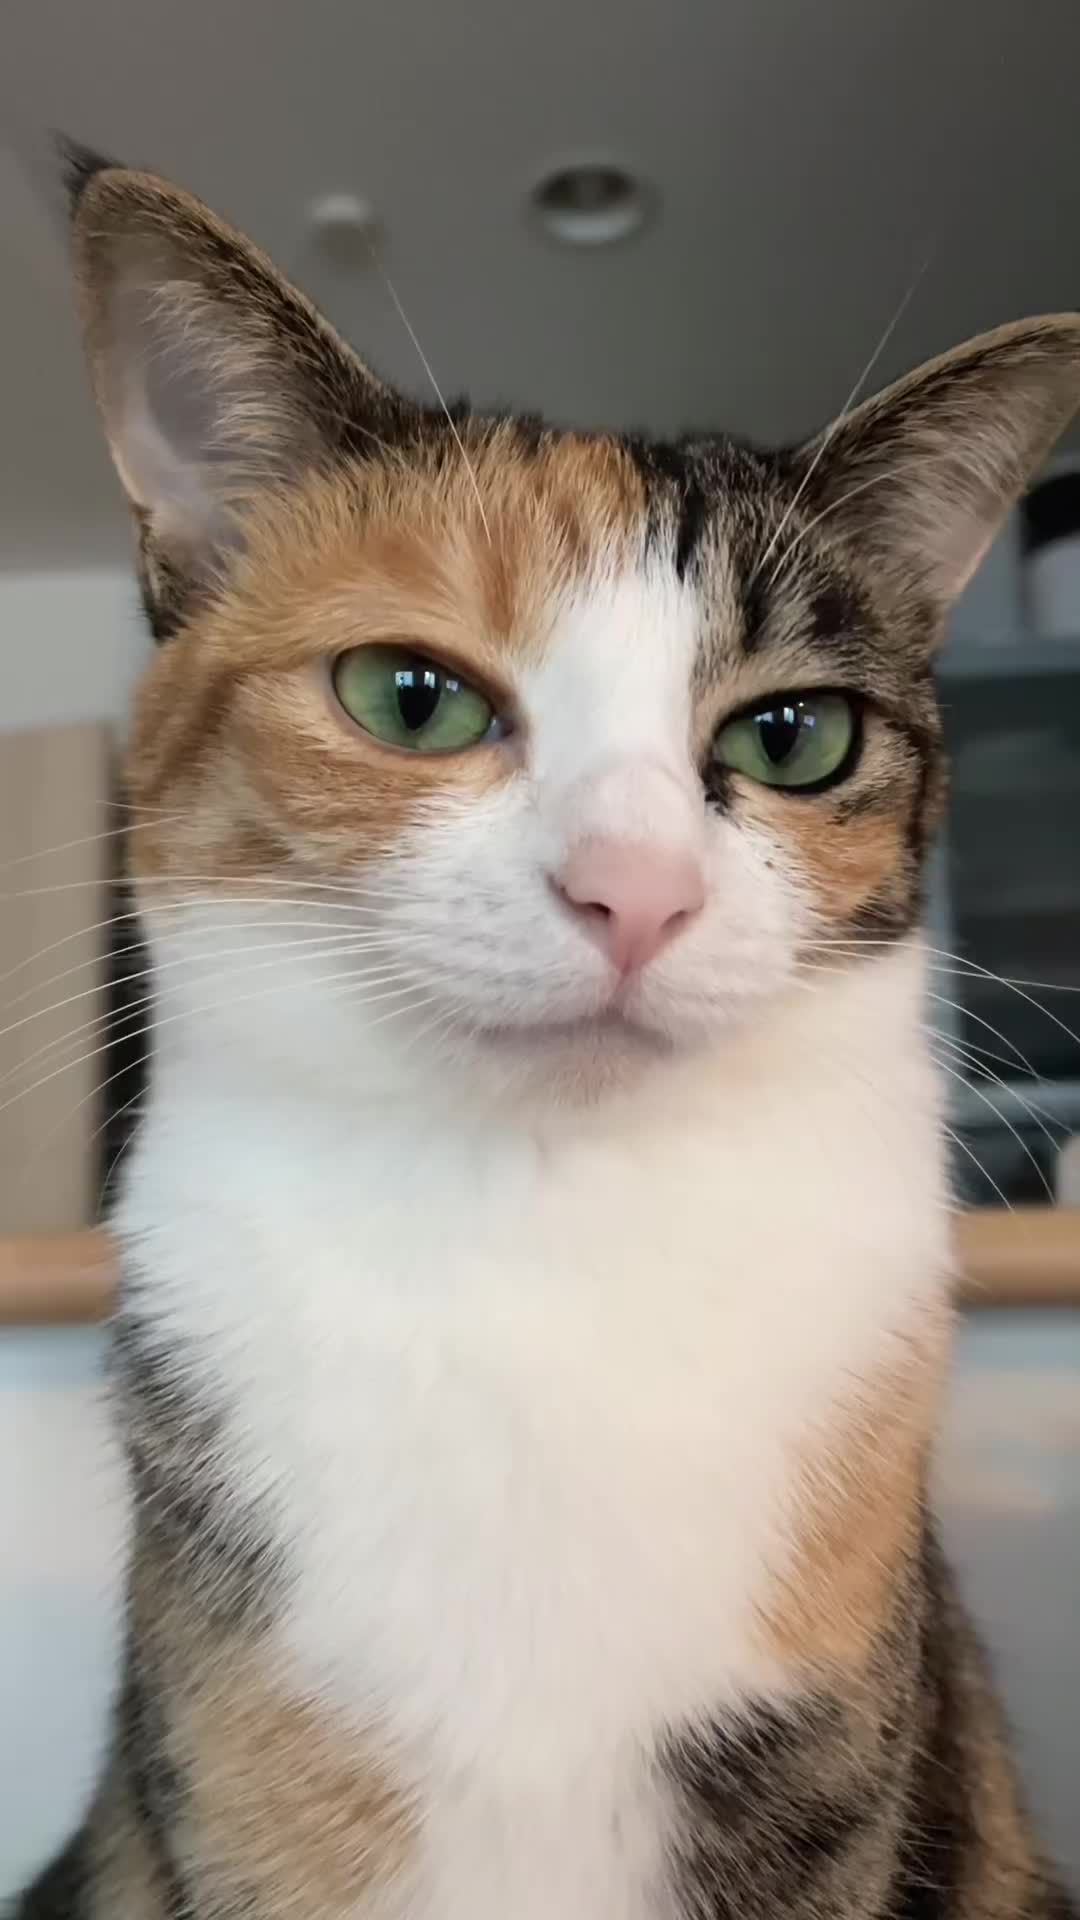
x: 921, y: 477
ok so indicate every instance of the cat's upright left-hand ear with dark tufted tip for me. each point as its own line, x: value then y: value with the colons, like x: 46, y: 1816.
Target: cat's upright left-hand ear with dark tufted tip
x: 216, y: 379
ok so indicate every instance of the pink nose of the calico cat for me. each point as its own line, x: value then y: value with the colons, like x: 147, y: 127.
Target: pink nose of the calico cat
x: 631, y: 900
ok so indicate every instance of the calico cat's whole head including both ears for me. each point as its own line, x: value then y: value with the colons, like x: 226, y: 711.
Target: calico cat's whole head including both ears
x: 572, y: 748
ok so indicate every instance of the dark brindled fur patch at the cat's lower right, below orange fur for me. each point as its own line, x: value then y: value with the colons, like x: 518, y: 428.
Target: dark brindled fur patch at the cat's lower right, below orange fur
x: 852, y: 1806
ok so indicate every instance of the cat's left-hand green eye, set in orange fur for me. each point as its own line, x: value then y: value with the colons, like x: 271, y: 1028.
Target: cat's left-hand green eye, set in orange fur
x: 410, y: 702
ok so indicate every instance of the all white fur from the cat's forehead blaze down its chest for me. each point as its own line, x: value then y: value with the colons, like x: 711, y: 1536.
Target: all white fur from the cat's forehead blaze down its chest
x: 522, y: 1332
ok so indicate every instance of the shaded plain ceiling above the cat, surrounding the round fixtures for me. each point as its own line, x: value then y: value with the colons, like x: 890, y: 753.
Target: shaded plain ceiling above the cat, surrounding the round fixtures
x: 808, y: 156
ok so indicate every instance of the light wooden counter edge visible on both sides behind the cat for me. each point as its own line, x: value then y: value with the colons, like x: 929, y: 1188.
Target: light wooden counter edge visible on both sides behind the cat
x: 1031, y: 1257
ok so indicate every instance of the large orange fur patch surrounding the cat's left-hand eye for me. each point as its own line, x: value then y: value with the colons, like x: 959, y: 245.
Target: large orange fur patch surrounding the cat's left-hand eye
x: 237, y: 731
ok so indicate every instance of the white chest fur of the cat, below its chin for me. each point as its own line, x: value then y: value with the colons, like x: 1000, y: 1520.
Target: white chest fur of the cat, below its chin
x: 526, y: 1412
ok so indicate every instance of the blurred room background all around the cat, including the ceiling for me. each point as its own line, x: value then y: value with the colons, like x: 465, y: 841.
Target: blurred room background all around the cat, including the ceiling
x: 708, y: 212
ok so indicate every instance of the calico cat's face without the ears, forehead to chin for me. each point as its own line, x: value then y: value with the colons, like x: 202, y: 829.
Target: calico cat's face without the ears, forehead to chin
x: 564, y: 779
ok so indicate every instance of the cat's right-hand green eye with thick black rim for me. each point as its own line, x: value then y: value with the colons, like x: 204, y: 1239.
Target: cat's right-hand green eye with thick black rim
x: 800, y: 740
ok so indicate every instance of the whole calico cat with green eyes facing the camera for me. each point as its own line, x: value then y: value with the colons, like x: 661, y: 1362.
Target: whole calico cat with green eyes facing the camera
x: 537, y: 1243
